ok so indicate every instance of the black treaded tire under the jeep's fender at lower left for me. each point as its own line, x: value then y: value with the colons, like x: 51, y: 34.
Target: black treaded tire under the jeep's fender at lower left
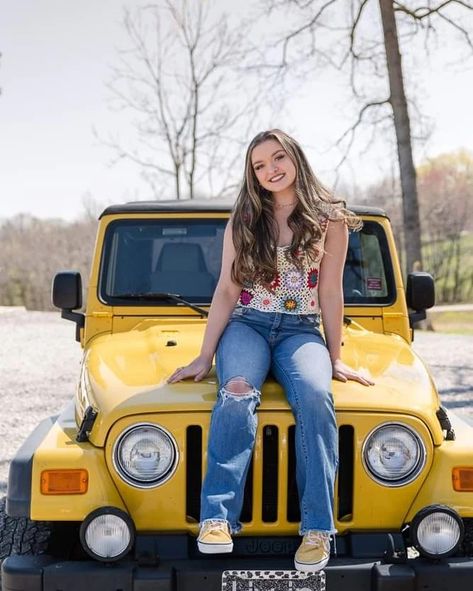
x: 19, y: 535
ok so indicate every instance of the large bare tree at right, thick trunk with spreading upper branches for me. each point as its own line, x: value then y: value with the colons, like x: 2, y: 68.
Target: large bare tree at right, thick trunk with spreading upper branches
x: 355, y: 43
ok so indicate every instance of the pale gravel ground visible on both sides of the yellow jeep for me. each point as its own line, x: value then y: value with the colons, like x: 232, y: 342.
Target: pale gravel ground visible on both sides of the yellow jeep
x: 39, y: 368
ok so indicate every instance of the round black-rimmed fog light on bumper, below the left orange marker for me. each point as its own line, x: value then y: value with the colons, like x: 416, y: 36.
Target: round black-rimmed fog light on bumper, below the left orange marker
x: 107, y: 534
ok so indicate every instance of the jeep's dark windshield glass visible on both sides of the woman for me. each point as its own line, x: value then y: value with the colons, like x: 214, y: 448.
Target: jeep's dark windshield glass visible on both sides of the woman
x: 183, y: 257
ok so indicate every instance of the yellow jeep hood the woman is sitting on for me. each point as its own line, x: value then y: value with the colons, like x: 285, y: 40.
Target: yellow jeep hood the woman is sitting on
x: 125, y: 374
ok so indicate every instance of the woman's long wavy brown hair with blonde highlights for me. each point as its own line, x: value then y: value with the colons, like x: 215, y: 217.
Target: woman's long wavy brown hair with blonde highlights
x: 255, y: 232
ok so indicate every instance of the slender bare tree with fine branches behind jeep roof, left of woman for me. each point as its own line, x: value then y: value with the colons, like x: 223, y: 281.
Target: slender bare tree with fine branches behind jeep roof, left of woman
x: 184, y: 79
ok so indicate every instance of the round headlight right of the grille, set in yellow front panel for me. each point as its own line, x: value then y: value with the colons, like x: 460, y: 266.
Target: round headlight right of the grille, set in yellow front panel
x: 394, y: 454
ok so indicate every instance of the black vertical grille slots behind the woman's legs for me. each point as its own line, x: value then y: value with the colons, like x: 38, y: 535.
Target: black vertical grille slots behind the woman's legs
x: 271, y: 474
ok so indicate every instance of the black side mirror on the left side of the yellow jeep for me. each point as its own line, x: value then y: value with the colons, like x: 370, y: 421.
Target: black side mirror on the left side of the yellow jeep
x: 67, y: 295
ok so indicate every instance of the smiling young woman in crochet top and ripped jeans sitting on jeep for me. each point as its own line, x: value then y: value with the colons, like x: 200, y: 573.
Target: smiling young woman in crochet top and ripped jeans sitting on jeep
x: 283, y: 255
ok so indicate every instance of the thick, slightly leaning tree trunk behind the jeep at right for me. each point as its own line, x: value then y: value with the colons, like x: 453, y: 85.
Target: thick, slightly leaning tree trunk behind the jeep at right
x: 410, y: 206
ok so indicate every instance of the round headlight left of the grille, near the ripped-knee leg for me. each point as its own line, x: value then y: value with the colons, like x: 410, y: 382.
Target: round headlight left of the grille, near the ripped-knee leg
x: 145, y: 455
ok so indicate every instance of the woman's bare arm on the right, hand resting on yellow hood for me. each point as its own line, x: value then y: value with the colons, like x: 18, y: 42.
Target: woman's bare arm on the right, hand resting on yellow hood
x: 331, y: 299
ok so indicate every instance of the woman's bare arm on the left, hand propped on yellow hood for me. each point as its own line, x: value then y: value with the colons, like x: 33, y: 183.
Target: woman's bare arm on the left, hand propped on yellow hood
x: 223, y: 302
